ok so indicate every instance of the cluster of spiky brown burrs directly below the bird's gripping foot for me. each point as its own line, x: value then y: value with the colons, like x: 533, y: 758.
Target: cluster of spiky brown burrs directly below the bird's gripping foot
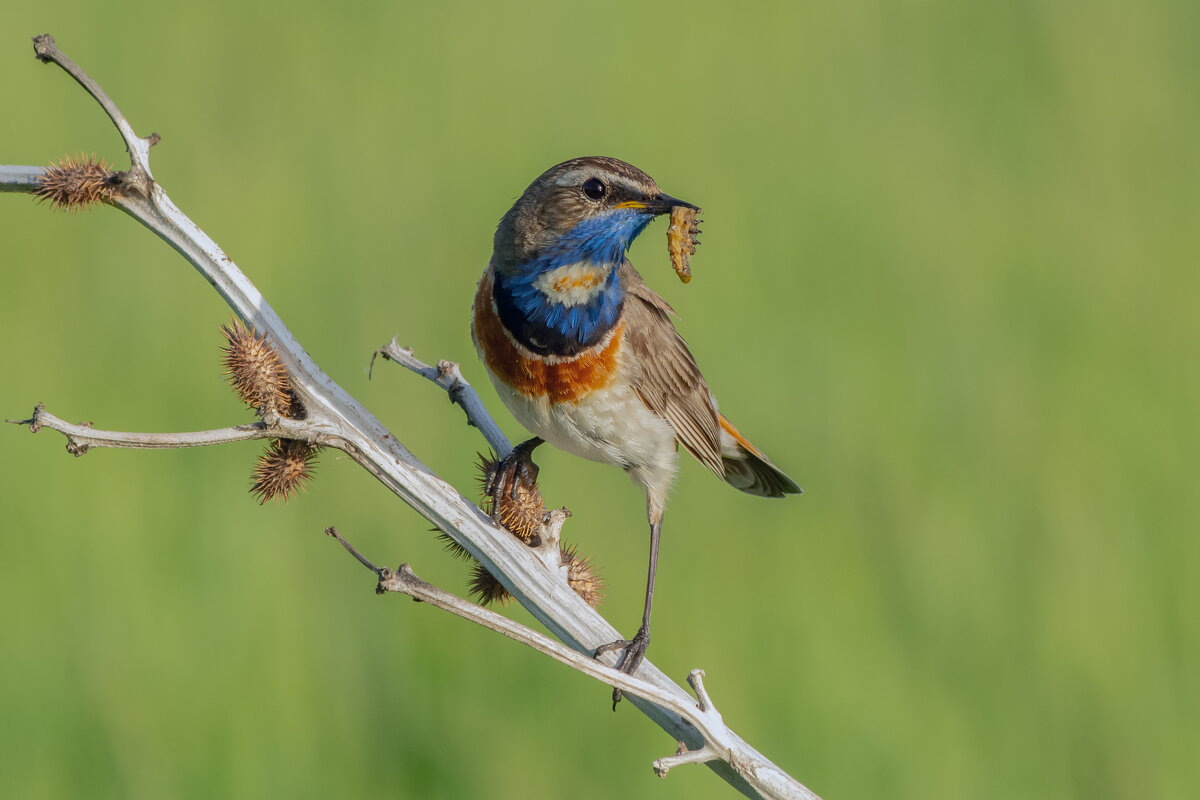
x: 513, y: 500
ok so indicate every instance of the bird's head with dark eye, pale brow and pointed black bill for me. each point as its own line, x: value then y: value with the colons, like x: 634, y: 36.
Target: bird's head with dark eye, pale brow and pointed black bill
x: 585, y: 209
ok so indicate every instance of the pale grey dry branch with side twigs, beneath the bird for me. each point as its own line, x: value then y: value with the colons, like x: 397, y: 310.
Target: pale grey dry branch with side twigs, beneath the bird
x: 337, y: 419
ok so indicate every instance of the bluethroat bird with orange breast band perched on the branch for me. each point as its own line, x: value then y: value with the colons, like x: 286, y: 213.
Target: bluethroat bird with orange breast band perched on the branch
x: 585, y: 356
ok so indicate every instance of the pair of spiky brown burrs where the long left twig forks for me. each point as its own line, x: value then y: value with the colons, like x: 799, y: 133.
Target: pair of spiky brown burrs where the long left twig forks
x: 262, y: 382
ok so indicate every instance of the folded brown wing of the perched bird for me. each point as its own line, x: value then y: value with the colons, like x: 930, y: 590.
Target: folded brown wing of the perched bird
x: 665, y: 375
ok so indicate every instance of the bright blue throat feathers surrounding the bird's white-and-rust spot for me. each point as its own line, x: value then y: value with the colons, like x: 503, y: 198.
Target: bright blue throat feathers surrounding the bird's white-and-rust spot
x: 544, y: 324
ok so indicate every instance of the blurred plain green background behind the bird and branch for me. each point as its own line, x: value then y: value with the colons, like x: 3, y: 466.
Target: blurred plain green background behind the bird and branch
x: 949, y: 282
